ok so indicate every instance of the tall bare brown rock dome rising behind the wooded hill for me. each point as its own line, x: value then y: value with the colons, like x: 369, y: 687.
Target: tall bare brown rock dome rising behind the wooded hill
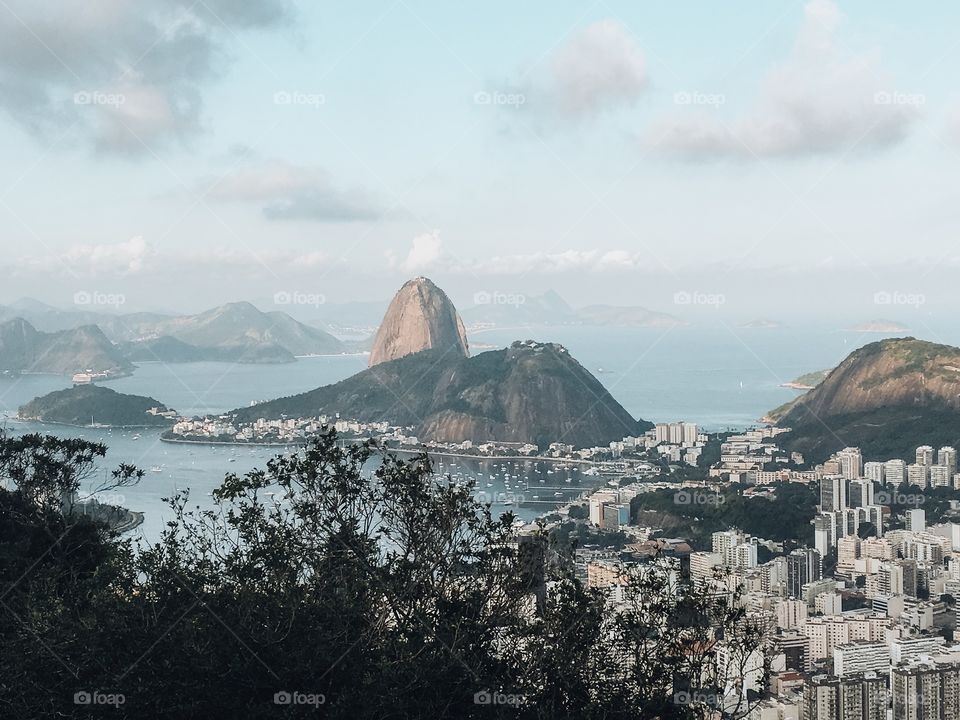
x: 420, y: 317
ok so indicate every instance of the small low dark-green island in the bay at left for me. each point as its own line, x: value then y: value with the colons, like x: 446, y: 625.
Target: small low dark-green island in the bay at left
x: 94, y: 405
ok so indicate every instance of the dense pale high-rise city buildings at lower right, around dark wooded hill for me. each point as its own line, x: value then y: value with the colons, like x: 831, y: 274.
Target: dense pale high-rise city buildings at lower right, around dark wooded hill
x: 858, y: 625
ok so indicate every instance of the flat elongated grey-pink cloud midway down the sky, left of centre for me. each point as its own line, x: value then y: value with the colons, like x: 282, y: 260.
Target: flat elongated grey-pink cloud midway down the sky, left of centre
x: 292, y: 192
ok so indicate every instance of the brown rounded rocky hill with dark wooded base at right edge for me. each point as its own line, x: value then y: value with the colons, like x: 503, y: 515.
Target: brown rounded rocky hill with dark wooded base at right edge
x: 886, y: 397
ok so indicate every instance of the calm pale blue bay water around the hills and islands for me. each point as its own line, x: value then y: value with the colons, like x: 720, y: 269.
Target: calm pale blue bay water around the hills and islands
x: 719, y: 377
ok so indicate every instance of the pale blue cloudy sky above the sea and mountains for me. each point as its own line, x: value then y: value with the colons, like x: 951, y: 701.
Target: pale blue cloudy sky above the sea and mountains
x: 787, y: 157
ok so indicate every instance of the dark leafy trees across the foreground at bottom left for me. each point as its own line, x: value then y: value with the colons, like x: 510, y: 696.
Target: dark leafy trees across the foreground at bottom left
x: 342, y: 580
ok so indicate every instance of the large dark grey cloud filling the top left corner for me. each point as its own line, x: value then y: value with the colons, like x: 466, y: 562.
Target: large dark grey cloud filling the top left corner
x: 129, y: 74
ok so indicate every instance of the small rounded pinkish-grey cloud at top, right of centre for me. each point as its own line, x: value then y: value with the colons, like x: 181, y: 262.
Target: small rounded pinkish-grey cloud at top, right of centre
x: 599, y: 68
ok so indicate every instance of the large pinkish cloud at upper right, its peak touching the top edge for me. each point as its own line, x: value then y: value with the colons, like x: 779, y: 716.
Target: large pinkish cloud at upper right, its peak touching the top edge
x: 820, y: 100
